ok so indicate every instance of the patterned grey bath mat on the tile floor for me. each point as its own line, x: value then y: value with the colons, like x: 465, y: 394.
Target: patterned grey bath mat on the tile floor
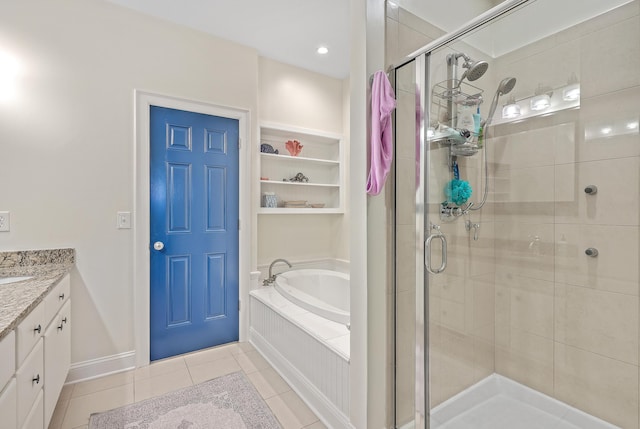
x: 227, y: 402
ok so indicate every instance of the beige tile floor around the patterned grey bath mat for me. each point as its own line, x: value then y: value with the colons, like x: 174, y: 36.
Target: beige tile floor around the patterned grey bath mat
x: 78, y: 401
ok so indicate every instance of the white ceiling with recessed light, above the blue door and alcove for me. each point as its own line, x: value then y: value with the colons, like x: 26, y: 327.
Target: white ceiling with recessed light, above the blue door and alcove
x: 288, y: 31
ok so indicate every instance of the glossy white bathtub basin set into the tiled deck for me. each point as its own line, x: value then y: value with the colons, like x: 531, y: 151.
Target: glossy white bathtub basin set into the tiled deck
x: 323, y: 292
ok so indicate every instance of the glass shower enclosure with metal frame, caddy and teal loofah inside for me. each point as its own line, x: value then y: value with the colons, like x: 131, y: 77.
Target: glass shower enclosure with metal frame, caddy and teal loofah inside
x: 517, y: 221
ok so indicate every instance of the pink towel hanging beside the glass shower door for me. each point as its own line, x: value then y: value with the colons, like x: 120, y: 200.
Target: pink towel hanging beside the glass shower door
x: 382, y: 104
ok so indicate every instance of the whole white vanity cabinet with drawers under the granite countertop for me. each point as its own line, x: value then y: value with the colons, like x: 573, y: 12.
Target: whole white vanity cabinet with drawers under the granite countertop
x: 34, y: 362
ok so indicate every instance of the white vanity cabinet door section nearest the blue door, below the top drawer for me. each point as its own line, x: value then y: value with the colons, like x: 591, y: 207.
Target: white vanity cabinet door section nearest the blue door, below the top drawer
x: 57, y: 358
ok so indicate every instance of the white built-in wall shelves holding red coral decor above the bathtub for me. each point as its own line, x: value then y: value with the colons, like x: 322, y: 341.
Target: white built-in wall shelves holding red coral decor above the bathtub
x: 321, y: 161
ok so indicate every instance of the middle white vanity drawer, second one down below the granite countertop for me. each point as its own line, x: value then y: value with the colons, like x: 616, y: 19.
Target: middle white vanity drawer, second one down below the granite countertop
x: 30, y: 379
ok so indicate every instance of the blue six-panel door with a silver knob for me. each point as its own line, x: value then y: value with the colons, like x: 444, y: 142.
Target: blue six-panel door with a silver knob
x: 194, y: 231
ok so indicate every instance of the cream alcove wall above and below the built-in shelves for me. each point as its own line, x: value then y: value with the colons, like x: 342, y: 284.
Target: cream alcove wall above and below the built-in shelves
x: 296, y: 97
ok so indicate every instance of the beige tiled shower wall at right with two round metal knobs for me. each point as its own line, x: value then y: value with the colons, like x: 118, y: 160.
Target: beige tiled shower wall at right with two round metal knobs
x: 568, y: 324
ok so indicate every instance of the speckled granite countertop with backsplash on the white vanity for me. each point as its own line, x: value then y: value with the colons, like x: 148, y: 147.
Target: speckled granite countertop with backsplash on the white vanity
x: 47, y: 267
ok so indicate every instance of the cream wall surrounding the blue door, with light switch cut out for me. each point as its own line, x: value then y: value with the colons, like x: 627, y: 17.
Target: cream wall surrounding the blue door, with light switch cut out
x: 66, y: 140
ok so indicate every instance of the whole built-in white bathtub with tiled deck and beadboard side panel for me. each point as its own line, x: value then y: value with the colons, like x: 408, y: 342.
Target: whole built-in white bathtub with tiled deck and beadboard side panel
x: 310, y: 351
